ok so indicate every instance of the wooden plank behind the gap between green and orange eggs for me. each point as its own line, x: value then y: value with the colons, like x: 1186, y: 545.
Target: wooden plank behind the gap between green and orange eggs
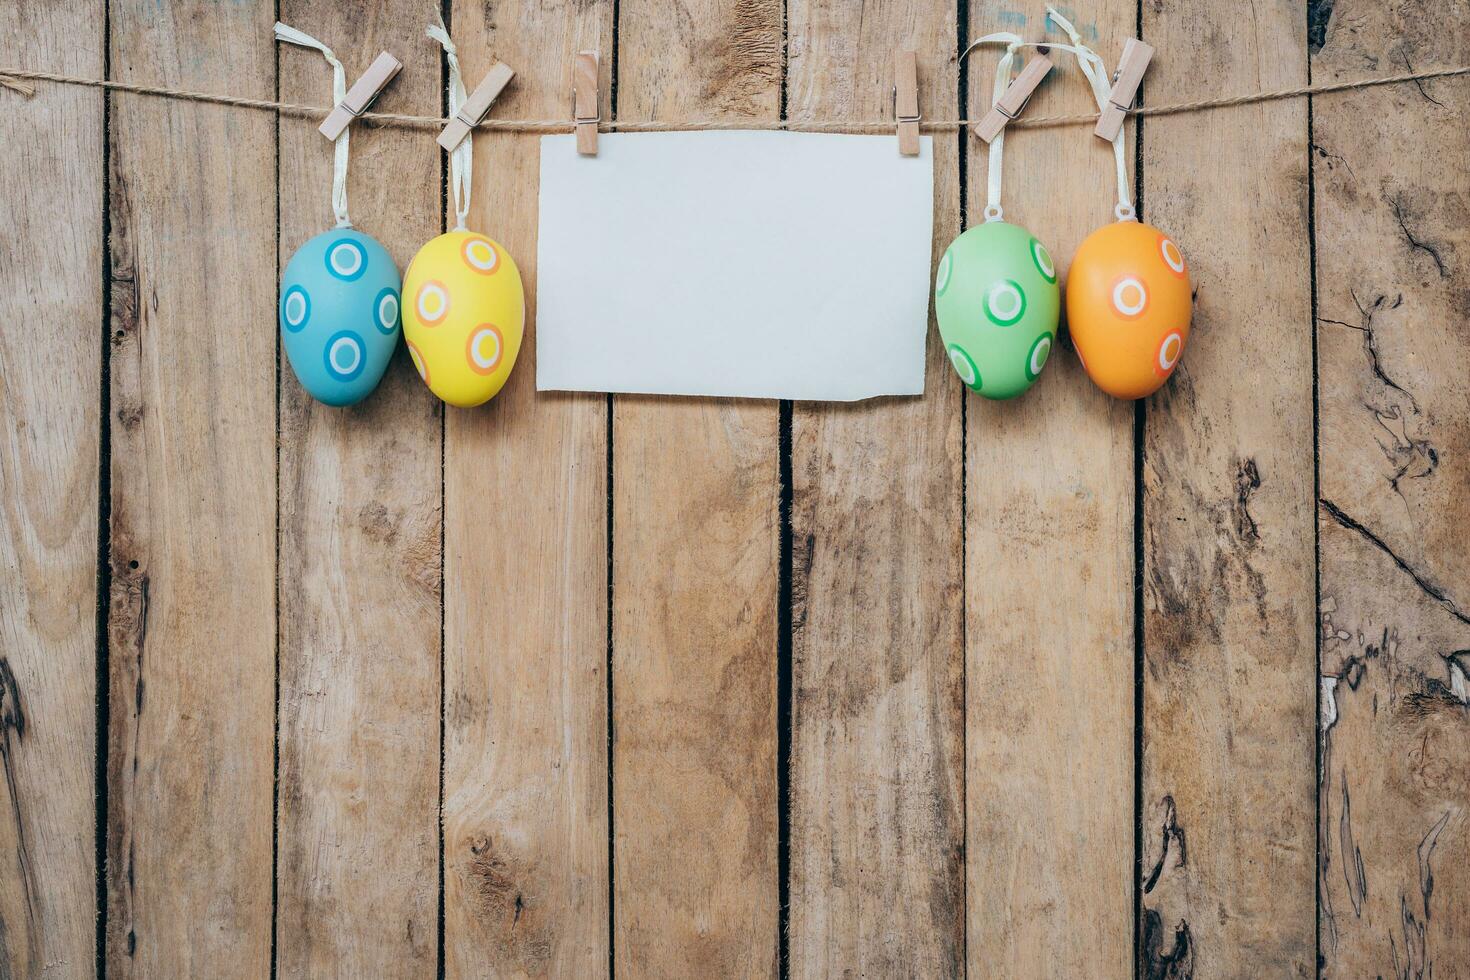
x: 1049, y: 580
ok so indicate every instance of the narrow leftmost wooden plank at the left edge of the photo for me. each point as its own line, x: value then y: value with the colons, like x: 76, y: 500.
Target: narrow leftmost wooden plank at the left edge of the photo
x: 52, y: 270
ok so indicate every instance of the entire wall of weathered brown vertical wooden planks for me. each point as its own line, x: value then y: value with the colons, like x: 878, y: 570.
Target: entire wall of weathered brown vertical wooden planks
x: 577, y: 685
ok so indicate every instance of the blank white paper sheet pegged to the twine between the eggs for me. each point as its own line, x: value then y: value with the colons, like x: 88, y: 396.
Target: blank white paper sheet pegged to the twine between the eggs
x: 761, y: 265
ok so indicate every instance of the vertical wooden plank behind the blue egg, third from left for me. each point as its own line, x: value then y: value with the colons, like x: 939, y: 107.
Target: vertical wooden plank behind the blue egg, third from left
x: 359, y: 694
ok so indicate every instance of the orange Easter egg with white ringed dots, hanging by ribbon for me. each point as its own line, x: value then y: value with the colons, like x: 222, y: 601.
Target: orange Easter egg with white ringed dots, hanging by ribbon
x: 1128, y: 308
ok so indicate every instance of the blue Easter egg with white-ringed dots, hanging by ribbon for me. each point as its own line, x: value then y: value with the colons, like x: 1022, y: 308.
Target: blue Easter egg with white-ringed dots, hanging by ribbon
x: 340, y: 315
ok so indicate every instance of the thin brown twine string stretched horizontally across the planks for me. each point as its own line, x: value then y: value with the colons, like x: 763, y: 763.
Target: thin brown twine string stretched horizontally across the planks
x: 11, y: 76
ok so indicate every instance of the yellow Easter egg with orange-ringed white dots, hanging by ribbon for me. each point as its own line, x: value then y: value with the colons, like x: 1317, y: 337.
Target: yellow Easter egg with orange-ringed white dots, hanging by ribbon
x: 464, y: 317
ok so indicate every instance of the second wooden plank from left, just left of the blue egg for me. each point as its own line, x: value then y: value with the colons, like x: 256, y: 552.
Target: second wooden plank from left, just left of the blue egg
x: 193, y: 496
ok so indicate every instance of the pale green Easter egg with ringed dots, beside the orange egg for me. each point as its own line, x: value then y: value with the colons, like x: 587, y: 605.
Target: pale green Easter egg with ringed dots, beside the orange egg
x: 997, y: 302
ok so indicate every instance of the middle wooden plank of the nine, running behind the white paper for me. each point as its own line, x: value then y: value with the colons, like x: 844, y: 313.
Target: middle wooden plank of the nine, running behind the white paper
x: 696, y: 555
